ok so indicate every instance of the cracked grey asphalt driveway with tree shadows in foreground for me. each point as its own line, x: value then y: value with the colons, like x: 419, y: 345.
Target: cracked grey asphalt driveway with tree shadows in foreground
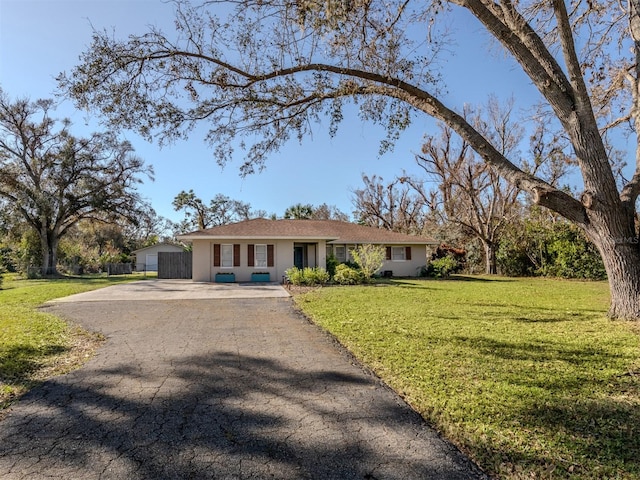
x: 216, y: 388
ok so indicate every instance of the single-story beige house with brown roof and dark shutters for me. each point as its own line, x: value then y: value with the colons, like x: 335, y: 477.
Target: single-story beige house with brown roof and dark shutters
x: 249, y: 250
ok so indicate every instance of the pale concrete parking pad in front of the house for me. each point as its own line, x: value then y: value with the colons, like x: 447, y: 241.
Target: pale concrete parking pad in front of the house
x: 160, y: 289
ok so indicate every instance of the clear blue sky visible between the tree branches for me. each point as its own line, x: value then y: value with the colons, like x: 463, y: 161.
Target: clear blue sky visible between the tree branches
x: 39, y: 39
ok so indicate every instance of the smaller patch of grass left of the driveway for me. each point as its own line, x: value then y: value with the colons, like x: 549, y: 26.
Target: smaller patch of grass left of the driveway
x: 35, y: 345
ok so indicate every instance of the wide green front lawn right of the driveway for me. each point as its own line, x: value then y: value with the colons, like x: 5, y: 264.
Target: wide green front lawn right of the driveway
x: 526, y: 376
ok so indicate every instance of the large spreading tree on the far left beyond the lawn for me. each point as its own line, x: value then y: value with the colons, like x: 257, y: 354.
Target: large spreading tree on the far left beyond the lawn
x: 52, y: 179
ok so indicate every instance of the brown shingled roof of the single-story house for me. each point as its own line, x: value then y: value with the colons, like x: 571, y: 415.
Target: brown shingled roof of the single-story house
x: 333, y: 231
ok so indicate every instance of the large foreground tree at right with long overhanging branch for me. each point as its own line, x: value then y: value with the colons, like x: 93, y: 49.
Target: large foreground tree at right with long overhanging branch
x: 272, y: 69
